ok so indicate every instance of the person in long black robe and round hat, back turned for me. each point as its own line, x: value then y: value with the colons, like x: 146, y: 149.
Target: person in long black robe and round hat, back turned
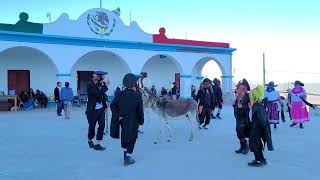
x: 127, y: 111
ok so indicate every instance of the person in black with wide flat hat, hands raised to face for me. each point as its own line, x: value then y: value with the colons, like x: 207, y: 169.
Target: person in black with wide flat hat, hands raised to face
x: 96, y: 107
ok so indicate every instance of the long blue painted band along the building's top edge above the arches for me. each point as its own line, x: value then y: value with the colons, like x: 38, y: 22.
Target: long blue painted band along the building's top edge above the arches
x: 91, y: 42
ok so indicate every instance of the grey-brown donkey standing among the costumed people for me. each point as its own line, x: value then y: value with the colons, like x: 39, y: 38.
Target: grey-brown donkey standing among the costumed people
x: 172, y: 109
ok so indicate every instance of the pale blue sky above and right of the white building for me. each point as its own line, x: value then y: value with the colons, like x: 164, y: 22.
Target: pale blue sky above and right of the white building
x: 288, y: 31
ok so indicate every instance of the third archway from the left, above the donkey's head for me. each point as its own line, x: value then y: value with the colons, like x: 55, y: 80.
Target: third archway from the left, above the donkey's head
x: 163, y: 70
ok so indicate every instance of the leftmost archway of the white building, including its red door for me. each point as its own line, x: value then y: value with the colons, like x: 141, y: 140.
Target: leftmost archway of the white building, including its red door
x: 26, y: 67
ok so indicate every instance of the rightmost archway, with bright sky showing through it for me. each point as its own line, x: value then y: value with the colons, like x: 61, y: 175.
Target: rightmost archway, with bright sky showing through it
x: 207, y: 67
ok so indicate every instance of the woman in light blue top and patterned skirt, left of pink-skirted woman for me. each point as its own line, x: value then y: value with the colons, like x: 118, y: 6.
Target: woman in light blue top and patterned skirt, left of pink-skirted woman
x: 273, y: 104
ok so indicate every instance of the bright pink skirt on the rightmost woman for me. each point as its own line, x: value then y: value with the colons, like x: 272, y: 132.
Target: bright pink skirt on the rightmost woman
x: 299, y: 112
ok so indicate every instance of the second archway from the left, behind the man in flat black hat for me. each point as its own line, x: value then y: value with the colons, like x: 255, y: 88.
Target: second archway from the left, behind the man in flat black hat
x: 102, y: 60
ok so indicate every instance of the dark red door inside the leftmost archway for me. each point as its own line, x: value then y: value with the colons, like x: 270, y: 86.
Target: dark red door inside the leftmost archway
x: 19, y: 80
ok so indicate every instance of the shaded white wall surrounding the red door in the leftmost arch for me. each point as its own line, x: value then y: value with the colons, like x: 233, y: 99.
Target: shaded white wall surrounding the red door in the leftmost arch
x: 42, y: 69
